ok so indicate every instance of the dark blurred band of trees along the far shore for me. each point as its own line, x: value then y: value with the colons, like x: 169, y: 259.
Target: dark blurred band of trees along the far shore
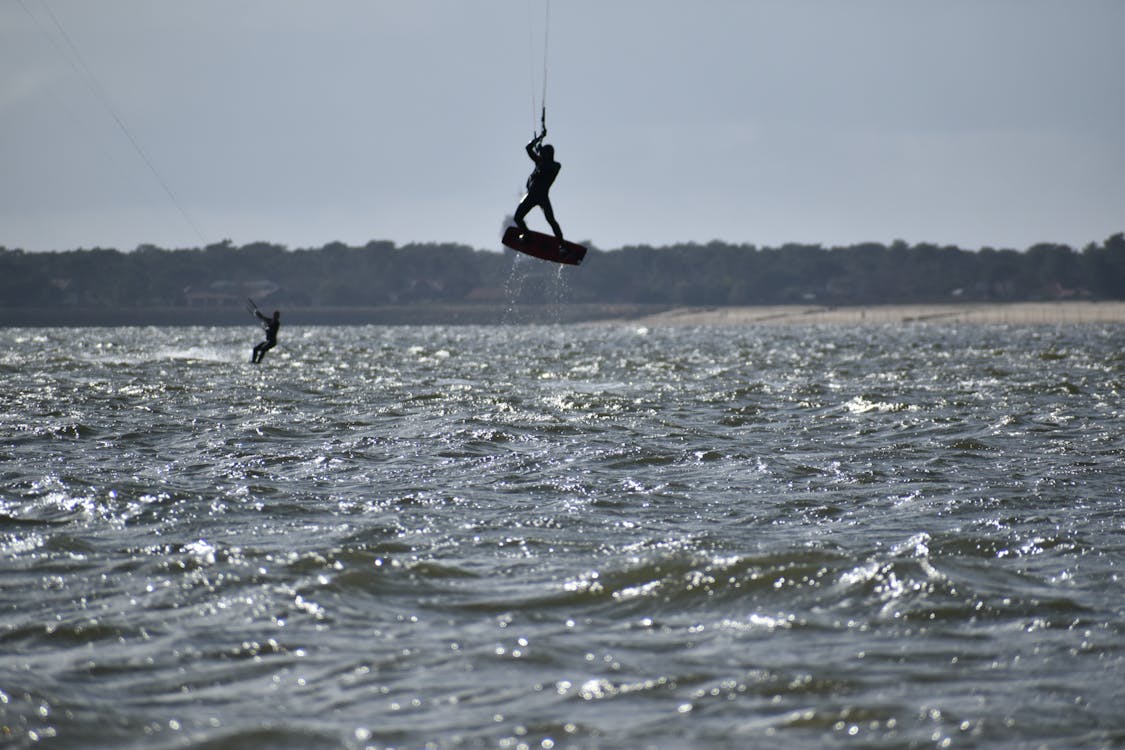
x: 381, y: 274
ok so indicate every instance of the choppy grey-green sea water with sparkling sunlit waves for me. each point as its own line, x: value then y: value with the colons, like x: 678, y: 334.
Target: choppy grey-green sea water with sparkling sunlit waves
x: 547, y: 537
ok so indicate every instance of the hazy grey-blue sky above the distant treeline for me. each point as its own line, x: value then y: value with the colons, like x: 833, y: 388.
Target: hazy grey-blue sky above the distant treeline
x: 965, y: 122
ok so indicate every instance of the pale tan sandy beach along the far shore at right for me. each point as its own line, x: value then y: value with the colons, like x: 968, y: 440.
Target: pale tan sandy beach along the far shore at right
x: 991, y: 314
